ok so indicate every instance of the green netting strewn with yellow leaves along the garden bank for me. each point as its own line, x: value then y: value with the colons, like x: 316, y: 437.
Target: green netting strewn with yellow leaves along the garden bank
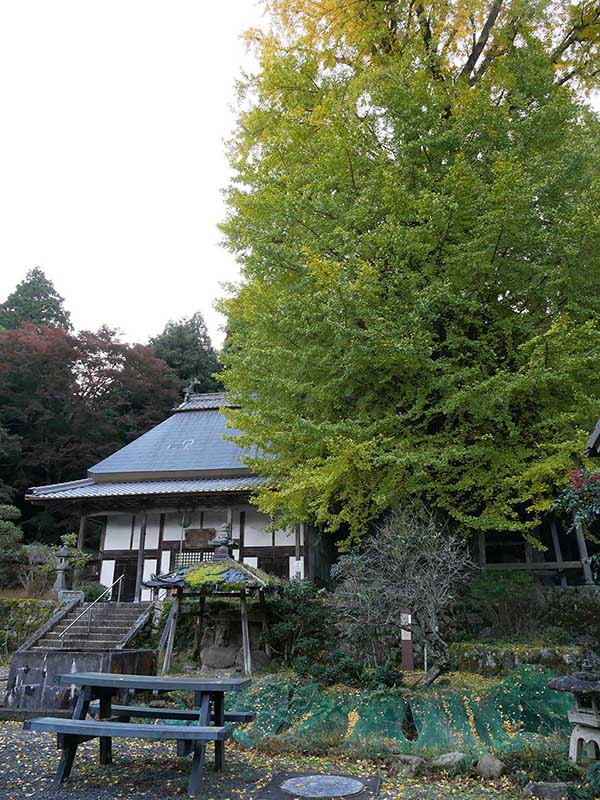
x: 510, y: 713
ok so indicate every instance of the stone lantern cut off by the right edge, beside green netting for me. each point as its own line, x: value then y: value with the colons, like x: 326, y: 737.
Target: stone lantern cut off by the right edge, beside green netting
x: 584, y: 746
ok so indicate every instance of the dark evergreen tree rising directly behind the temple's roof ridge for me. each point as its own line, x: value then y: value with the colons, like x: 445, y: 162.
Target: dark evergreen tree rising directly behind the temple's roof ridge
x: 186, y: 347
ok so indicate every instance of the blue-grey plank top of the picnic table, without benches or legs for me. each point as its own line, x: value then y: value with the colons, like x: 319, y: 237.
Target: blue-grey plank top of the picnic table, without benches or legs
x: 150, y: 683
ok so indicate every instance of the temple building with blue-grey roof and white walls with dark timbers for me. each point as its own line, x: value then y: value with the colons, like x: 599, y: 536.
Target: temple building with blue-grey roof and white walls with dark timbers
x: 161, y: 499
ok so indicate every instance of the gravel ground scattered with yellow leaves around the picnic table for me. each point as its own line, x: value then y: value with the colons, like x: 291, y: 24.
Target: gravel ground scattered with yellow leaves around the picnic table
x: 151, y: 771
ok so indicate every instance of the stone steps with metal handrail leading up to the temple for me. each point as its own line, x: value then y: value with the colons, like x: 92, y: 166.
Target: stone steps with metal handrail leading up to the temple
x: 113, y: 625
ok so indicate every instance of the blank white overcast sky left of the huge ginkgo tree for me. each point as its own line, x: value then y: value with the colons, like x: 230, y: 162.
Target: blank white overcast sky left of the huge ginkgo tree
x: 112, y: 159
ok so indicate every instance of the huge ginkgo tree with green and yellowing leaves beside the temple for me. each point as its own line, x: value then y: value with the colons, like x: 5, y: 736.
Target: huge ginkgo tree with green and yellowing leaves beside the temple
x: 416, y: 208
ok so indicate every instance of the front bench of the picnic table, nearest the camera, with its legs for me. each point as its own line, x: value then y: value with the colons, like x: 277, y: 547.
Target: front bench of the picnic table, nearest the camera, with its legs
x: 71, y: 732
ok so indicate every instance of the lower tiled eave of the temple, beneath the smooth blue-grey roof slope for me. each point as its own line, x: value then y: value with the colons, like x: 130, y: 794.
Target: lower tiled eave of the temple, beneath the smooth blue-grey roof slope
x: 76, y: 490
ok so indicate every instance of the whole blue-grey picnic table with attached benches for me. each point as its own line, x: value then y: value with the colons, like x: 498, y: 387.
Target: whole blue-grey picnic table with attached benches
x: 96, y: 692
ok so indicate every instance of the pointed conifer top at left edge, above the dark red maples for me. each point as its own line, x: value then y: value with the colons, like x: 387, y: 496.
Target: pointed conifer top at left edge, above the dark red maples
x: 34, y: 301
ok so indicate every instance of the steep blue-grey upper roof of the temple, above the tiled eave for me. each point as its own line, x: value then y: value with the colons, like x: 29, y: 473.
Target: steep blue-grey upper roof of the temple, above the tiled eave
x: 193, y: 442
